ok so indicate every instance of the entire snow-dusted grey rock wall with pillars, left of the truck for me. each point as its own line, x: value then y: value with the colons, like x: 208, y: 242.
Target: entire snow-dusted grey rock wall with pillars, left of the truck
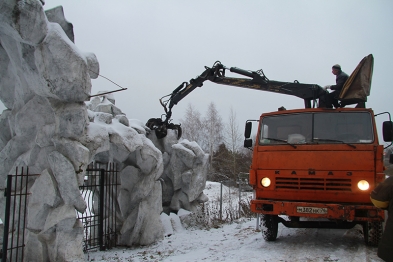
x: 52, y: 126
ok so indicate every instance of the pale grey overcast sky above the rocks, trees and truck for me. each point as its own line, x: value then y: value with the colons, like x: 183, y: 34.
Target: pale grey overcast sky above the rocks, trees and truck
x: 151, y: 47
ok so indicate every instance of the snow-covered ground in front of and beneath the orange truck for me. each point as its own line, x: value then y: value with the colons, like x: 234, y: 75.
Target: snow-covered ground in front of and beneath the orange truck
x: 240, y: 241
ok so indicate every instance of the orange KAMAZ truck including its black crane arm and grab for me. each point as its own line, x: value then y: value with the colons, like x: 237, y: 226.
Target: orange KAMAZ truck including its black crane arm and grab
x: 311, y: 167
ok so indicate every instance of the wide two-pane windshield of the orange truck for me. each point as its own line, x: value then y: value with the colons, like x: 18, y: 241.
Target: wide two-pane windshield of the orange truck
x: 311, y: 128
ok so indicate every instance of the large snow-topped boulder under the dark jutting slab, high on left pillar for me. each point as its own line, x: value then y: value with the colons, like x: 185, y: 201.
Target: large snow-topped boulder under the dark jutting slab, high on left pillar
x: 68, y: 82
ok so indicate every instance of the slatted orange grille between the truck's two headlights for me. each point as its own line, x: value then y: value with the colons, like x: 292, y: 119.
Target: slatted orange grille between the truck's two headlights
x: 328, y: 184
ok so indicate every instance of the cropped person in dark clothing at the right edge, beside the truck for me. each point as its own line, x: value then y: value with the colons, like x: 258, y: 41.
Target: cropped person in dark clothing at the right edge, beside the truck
x: 382, y: 197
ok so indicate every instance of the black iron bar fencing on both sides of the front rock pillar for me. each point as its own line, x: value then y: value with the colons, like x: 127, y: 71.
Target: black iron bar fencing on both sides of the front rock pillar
x: 99, y: 190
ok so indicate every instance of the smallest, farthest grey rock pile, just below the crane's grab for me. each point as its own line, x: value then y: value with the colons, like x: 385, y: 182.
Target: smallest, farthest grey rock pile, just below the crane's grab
x: 185, y: 169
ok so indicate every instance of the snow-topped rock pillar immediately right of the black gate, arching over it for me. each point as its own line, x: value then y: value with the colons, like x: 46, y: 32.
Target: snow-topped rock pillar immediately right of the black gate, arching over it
x: 111, y: 139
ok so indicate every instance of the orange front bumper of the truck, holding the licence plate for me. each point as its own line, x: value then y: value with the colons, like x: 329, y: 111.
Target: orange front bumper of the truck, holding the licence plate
x: 345, y: 212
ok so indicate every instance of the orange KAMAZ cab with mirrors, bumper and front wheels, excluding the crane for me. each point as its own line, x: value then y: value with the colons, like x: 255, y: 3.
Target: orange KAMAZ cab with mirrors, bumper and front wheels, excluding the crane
x: 316, y: 167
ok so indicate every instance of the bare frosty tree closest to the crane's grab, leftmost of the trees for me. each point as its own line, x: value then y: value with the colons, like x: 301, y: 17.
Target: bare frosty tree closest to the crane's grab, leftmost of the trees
x: 192, y: 124
